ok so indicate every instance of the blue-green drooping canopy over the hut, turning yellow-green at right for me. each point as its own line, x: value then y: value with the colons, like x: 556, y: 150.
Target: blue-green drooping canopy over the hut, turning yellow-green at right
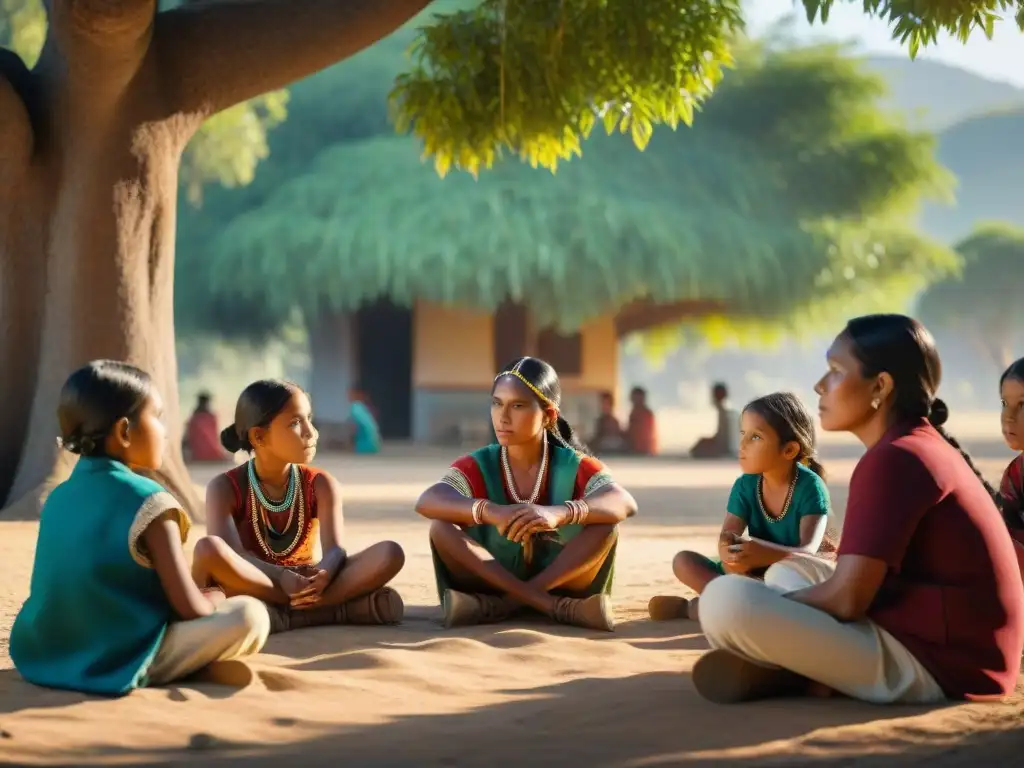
x: 781, y: 203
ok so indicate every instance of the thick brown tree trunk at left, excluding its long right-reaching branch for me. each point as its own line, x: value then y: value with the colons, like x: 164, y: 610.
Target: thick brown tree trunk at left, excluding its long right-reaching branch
x: 89, y: 249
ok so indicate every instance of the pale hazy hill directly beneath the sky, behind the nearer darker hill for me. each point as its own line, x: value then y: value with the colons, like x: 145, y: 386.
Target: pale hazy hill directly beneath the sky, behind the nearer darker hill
x: 935, y: 96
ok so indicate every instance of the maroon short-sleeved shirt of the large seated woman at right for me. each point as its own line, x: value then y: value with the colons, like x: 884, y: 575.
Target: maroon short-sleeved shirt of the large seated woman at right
x: 954, y: 594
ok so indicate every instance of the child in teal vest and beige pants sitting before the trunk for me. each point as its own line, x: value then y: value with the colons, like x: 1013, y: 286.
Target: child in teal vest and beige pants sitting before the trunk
x: 112, y: 606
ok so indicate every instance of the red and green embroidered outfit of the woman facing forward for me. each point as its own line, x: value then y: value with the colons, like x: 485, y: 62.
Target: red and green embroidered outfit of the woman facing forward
x: 569, y: 477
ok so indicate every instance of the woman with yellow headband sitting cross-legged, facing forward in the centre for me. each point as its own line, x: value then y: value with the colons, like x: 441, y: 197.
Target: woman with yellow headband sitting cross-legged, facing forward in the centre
x: 530, y: 522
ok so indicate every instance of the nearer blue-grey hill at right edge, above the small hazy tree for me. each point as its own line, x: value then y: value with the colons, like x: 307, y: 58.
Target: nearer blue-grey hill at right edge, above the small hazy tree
x: 987, y: 154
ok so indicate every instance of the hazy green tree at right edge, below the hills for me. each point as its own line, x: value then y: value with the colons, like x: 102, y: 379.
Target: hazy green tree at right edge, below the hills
x: 984, y: 304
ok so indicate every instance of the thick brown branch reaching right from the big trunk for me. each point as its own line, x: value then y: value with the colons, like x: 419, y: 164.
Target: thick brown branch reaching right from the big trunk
x: 220, y: 54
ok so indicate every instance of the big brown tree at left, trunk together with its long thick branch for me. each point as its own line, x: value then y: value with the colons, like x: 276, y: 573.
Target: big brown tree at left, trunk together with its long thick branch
x: 91, y: 146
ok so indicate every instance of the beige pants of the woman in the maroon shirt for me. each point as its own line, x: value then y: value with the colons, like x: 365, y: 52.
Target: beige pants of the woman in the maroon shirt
x: 859, y: 659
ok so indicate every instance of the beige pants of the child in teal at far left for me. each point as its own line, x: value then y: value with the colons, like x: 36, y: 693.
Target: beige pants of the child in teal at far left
x: 239, y: 628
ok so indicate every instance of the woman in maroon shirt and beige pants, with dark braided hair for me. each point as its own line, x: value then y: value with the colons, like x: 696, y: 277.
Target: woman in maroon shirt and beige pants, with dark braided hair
x: 925, y: 602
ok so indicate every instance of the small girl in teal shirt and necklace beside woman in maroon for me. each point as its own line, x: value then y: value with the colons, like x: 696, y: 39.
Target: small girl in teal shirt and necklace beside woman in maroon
x: 780, y: 506
